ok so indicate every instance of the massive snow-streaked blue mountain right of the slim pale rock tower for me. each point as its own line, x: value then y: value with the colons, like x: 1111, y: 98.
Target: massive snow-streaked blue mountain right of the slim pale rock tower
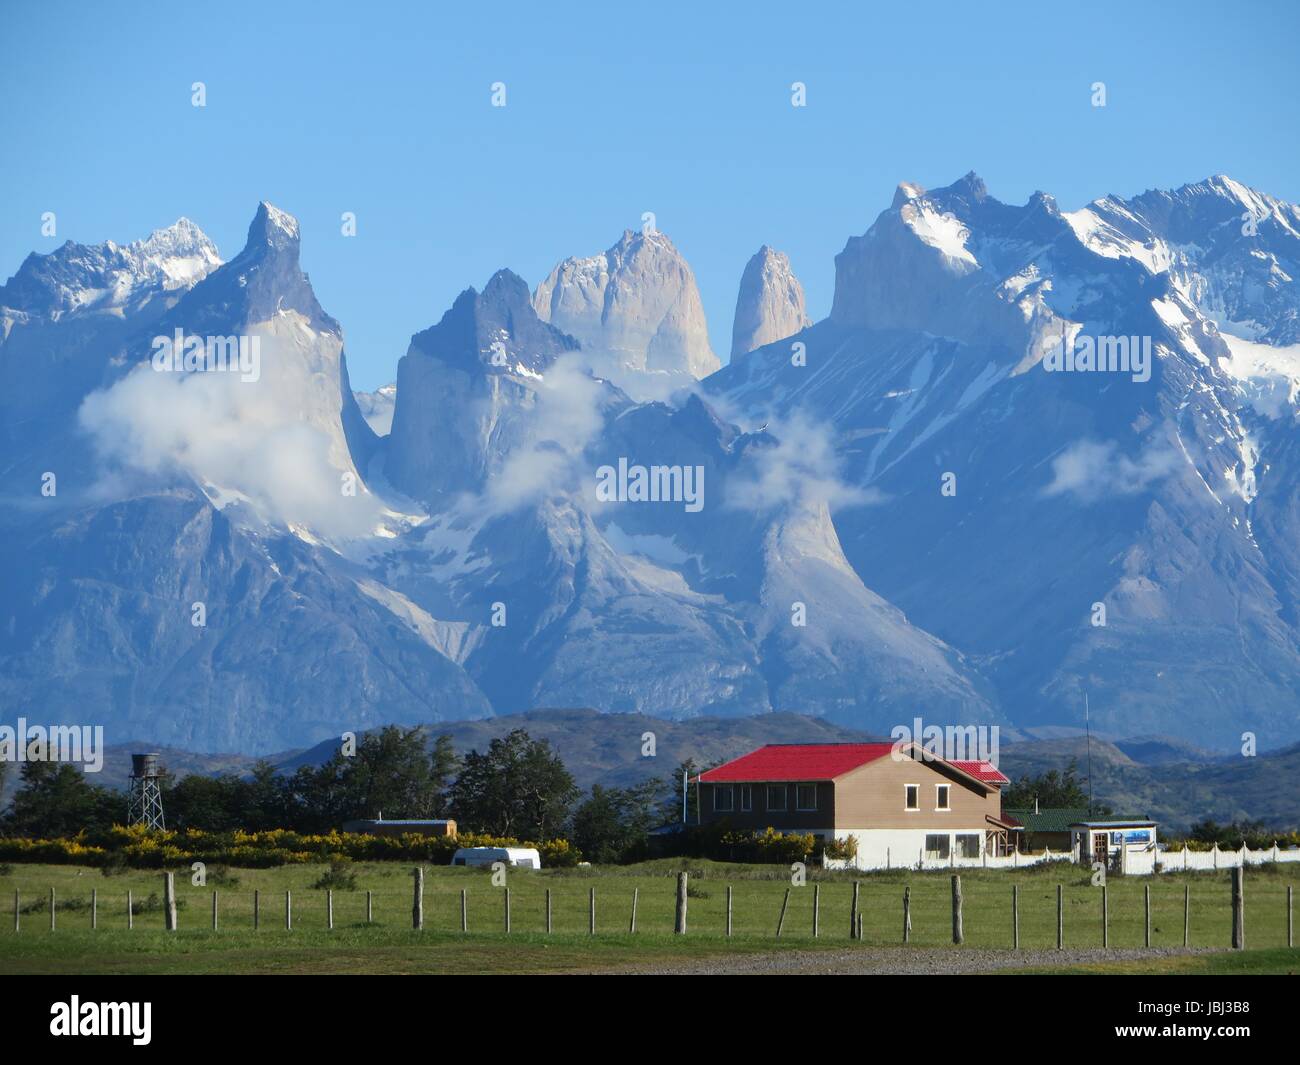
x: 1068, y: 490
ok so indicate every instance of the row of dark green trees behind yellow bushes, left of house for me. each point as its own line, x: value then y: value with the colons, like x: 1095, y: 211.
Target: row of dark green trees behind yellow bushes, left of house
x: 518, y: 789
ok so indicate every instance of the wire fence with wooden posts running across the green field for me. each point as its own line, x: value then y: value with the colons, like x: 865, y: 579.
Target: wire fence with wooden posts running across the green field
x: 1038, y: 915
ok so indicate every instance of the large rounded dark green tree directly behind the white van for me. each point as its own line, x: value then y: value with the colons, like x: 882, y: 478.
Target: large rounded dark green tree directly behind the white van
x: 518, y: 789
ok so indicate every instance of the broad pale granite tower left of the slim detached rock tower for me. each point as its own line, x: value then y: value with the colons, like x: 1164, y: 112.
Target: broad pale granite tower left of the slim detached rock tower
x: 636, y: 311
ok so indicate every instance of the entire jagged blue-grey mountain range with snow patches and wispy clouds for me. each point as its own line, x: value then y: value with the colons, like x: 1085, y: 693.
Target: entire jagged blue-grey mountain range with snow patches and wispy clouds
x: 922, y: 505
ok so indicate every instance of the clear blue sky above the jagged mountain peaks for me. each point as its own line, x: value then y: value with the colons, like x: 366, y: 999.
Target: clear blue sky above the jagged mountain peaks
x: 683, y: 110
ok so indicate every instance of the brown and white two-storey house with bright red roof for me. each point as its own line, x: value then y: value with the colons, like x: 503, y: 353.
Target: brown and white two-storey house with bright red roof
x: 902, y: 803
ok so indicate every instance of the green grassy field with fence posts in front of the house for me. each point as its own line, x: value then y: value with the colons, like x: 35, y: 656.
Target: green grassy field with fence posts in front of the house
x: 391, y: 945
